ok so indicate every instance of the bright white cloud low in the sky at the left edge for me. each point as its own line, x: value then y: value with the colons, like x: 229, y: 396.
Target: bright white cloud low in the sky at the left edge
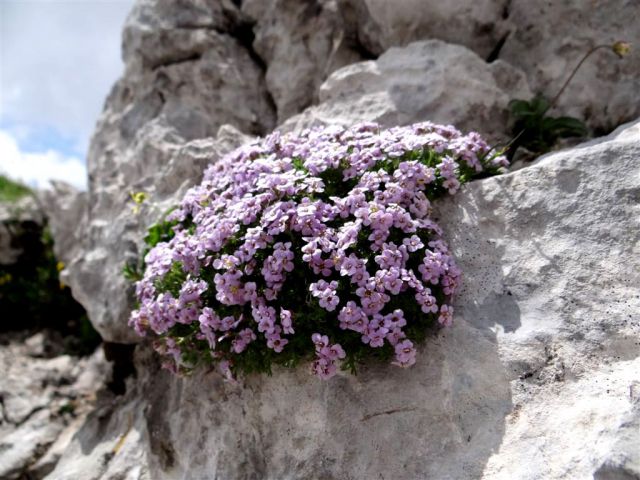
x: 37, y: 168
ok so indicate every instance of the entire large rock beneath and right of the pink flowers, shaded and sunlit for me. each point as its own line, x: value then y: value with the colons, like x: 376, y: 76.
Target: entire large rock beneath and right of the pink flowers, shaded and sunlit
x: 541, y: 362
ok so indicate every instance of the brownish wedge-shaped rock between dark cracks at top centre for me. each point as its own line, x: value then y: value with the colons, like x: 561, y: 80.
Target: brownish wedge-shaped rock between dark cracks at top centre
x: 301, y: 43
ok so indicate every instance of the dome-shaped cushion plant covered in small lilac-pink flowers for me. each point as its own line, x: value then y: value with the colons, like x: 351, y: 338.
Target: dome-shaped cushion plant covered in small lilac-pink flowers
x: 318, y: 245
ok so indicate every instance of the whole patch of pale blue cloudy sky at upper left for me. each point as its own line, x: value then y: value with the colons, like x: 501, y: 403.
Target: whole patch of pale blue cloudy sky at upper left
x: 58, y: 61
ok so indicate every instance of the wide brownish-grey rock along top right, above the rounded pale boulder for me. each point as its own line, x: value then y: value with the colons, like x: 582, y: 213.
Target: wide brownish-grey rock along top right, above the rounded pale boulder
x: 545, y: 39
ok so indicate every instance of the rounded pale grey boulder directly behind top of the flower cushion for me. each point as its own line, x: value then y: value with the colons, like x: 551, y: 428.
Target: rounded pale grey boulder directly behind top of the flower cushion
x: 429, y: 80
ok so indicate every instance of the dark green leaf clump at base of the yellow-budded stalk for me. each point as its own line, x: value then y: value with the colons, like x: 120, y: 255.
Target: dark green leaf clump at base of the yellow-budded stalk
x: 538, y: 132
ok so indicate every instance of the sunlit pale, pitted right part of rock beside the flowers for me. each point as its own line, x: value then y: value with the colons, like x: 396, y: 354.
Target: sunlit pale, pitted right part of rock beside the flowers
x: 550, y: 255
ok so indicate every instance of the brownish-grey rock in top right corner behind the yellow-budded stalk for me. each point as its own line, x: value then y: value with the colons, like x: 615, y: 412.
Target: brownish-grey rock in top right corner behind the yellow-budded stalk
x: 548, y: 39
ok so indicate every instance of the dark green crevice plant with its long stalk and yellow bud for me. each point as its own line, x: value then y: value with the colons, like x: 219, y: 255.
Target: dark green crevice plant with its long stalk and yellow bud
x: 535, y: 130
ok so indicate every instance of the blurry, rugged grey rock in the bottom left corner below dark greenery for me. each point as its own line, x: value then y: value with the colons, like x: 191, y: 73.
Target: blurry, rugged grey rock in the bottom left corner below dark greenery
x: 43, y: 402
